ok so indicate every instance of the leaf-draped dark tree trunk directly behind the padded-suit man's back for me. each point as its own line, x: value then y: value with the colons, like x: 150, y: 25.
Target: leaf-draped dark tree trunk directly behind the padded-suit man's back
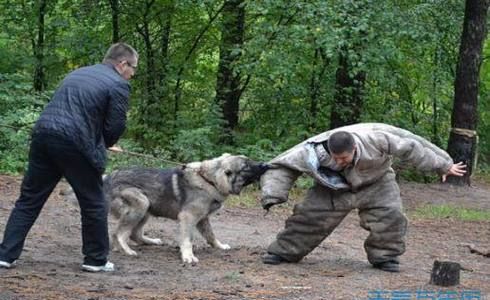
x: 347, y: 106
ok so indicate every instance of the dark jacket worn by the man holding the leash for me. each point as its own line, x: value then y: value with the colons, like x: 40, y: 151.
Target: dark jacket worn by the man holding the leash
x: 89, y: 108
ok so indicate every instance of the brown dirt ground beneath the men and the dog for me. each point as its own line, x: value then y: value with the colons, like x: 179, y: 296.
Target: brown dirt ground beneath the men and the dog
x: 50, y: 264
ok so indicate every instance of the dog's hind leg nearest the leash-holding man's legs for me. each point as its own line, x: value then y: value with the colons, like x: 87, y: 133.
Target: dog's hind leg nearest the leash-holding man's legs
x: 135, y: 209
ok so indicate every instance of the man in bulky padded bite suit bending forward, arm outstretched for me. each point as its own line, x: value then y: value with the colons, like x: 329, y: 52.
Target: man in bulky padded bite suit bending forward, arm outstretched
x: 352, y: 169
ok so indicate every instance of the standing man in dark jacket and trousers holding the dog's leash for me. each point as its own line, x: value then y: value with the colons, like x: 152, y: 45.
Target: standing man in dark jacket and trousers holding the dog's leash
x: 86, y: 115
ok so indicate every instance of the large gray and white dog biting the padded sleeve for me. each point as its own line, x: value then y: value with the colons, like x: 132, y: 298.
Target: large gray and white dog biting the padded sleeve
x: 188, y: 194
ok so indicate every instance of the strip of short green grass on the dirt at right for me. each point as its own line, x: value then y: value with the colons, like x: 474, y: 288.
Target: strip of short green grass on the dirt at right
x: 451, y: 212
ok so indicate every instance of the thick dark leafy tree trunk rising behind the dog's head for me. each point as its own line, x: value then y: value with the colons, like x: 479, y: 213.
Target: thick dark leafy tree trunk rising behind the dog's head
x: 228, y: 90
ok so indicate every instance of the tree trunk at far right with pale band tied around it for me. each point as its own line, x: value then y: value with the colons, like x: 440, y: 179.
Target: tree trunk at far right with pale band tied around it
x: 464, y: 120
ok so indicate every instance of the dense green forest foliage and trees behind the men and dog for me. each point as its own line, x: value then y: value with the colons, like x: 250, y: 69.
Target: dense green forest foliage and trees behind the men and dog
x: 254, y: 77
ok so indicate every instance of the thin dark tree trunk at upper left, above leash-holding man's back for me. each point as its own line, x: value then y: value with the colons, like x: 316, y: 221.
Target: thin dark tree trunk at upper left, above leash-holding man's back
x: 39, y: 76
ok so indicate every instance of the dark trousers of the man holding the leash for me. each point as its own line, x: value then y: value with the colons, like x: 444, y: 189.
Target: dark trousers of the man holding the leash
x: 50, y: 158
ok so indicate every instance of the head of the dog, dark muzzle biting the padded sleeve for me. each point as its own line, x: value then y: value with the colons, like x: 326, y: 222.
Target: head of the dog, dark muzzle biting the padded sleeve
x: 231, y: 173
